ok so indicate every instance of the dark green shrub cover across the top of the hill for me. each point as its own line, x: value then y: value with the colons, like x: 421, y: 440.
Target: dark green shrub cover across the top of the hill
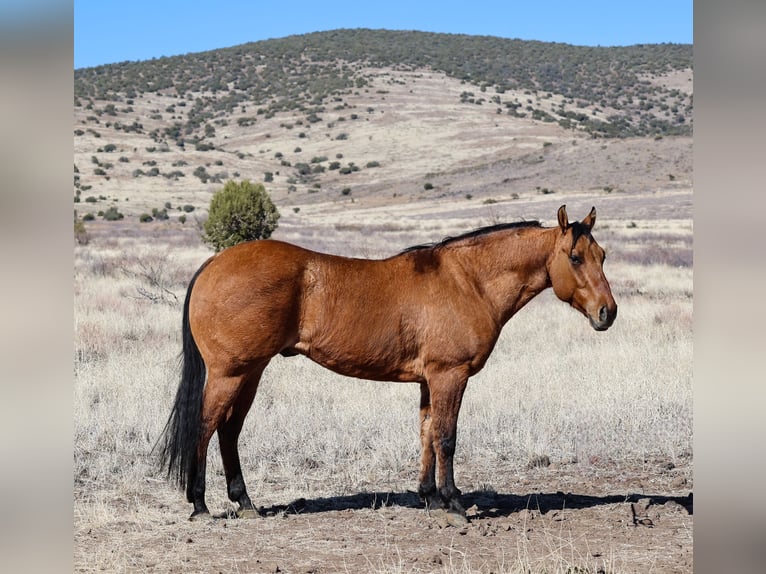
x: 304, y: 73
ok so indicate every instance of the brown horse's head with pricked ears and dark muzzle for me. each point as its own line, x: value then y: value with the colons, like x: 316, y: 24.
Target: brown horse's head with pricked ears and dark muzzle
x: 576, y: 271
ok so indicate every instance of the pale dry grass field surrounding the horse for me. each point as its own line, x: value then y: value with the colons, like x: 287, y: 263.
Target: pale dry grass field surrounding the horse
x: 552, y: 387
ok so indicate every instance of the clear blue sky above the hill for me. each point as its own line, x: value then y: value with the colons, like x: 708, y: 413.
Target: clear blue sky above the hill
x: 109, y: 32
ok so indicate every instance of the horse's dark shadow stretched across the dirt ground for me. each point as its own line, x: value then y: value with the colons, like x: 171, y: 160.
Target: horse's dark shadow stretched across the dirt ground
x: 483, y: 504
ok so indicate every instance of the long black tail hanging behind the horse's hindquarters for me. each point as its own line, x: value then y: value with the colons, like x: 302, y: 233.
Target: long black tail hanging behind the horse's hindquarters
x: 180, y: 437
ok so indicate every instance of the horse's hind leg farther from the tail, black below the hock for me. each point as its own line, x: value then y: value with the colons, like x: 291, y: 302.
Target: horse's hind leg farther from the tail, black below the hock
x: 228, y: 435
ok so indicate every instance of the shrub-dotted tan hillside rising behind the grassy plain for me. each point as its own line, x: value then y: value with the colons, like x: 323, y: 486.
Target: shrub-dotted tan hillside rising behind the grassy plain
x: 379, y: 117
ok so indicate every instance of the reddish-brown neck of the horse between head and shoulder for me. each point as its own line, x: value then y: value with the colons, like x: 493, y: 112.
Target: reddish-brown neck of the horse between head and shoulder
x: 511, y: 269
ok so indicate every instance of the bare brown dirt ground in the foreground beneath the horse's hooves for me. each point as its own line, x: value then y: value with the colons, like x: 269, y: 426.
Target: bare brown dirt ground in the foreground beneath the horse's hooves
x: 599, y: 517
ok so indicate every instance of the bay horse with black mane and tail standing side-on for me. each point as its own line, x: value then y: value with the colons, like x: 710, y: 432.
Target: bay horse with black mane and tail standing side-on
x: 429, y: 315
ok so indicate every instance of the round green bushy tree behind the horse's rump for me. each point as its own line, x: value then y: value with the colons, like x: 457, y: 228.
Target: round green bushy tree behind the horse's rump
x: 241, y: 211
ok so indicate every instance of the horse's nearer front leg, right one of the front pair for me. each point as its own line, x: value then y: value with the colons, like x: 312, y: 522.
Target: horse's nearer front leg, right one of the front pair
x: 446, y: 394
